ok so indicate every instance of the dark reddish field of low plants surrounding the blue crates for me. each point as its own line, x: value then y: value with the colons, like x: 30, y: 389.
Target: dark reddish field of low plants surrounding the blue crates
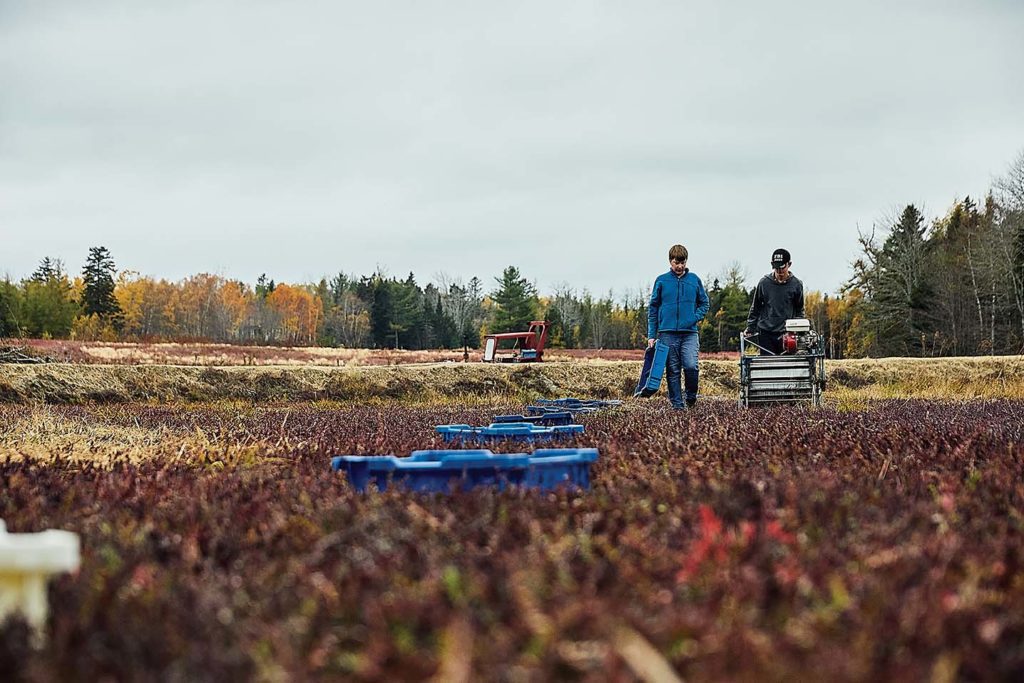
x: 880, y: 542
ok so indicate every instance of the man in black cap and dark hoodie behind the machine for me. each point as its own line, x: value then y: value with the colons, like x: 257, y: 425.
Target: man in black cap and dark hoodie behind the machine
x: 779, y: 297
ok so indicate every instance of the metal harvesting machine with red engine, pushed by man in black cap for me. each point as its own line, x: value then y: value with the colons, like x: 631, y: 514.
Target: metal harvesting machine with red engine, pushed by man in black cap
x: 796, y: 376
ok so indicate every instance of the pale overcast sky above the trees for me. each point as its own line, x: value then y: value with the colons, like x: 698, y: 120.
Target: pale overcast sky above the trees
x: 577, y: 141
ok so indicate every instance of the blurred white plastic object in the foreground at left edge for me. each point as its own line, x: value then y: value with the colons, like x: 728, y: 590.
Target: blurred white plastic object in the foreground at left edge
x: 27, y: 562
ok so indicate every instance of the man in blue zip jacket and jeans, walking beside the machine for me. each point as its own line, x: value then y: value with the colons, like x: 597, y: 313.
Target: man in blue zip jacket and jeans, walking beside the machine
x: 678, y: 303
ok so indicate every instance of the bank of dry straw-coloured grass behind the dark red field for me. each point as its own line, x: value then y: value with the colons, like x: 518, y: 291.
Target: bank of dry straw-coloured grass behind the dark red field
x: 849, y: 381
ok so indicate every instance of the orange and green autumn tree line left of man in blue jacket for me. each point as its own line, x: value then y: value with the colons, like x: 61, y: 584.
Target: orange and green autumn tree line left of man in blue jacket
x: 374, y: 311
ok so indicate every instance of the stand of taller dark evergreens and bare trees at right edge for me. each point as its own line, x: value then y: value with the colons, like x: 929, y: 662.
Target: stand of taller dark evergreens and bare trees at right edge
x: 953, y: 287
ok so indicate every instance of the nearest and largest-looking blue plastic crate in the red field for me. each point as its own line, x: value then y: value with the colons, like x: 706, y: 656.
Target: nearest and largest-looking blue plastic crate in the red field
x: 430, y: 472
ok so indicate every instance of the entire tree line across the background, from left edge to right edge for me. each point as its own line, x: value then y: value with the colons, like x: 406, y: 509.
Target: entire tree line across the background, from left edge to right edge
x: 953, y: 286
